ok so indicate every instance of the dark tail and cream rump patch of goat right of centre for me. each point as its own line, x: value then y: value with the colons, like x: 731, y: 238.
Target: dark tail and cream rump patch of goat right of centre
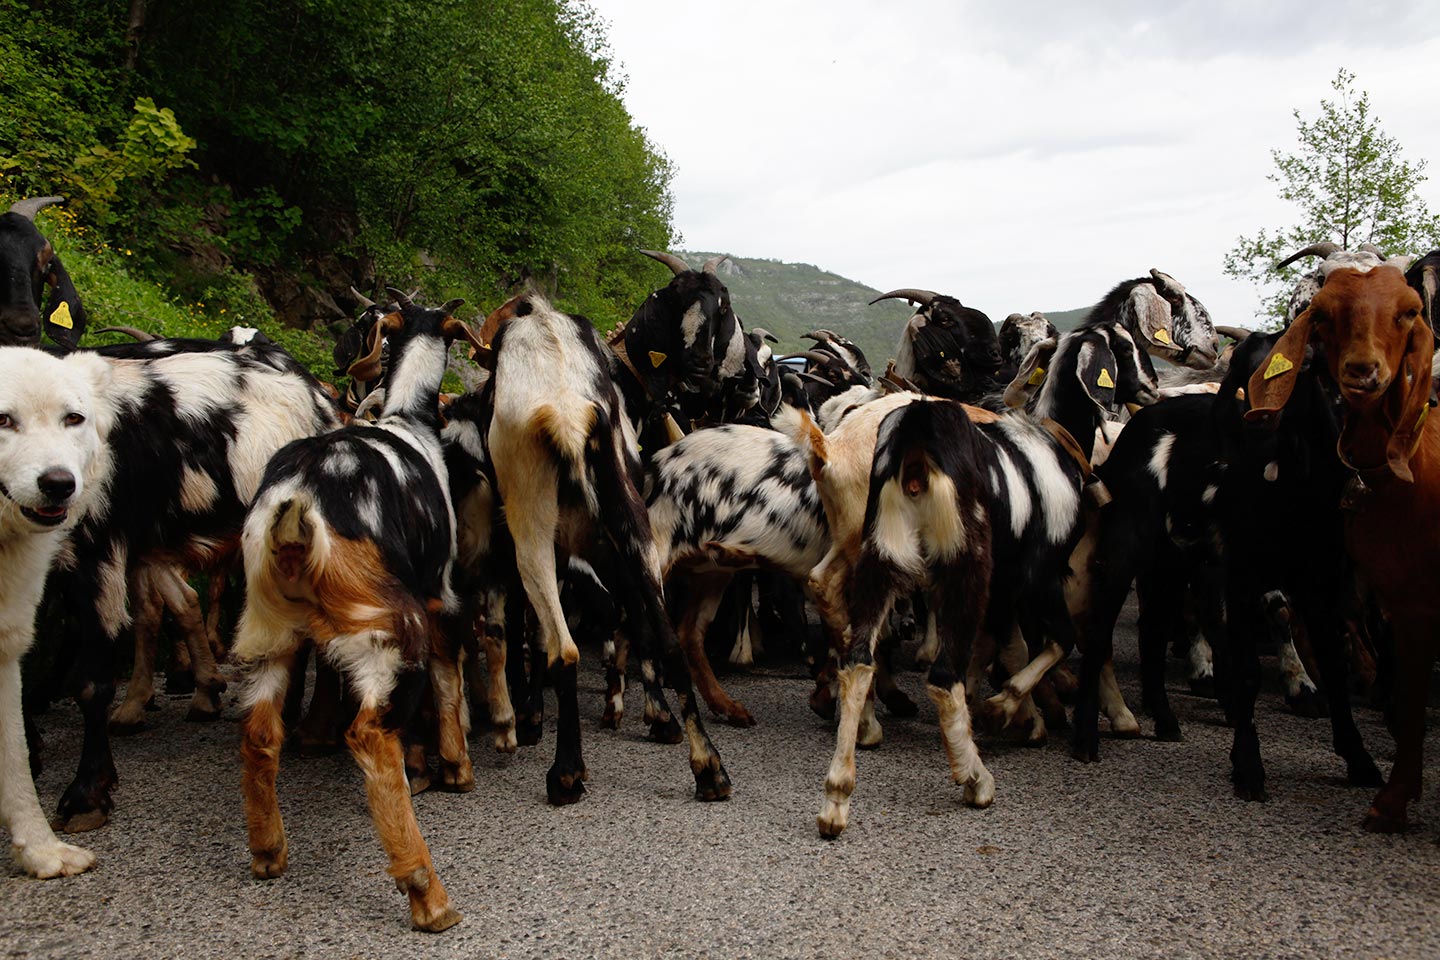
x: 914, y: 512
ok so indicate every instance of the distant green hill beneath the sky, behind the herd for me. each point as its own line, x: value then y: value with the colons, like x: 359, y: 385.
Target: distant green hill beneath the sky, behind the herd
x: 793, y: 299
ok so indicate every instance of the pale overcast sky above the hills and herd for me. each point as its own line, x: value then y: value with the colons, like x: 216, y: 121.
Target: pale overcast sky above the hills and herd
x: 1017, y: 156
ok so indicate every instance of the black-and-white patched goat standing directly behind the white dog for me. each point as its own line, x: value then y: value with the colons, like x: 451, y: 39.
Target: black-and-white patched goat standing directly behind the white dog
x: 192, y: 425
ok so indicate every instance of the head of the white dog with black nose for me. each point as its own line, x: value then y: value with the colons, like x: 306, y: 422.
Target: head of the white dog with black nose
x: 48, y: 434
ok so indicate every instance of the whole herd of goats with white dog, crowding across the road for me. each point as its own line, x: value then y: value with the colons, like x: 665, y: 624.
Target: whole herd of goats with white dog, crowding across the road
x: 654, y: 486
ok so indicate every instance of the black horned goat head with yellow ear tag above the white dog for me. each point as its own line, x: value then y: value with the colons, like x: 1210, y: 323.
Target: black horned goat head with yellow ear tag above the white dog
x: 28, y: 266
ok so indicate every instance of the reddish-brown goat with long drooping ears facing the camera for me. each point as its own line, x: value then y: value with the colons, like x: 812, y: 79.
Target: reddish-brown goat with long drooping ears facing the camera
x: 1379, y: 350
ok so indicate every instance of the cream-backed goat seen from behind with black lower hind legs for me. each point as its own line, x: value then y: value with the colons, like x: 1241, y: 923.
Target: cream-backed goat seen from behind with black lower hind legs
x: 567, y: 470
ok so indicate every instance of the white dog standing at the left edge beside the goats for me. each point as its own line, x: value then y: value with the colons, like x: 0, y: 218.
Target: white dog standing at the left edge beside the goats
x: 53, y: 421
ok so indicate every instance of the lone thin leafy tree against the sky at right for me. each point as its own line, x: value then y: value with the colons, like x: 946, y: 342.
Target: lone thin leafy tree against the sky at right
x: 1351, y: 186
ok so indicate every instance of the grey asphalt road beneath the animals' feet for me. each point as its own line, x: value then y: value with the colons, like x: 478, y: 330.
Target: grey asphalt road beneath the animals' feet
x: 1146, y: 856
